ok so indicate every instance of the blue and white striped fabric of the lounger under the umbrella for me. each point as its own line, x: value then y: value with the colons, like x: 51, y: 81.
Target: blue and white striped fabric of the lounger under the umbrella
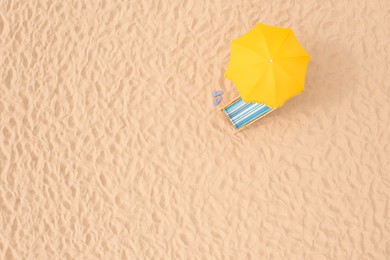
x: 241, y: 113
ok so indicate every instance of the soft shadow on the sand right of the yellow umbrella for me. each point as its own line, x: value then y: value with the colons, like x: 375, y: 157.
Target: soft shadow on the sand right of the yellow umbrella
x: 330, y: 67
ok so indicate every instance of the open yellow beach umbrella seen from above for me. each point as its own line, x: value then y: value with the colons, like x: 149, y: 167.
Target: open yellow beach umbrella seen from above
x: 268, y: 65
